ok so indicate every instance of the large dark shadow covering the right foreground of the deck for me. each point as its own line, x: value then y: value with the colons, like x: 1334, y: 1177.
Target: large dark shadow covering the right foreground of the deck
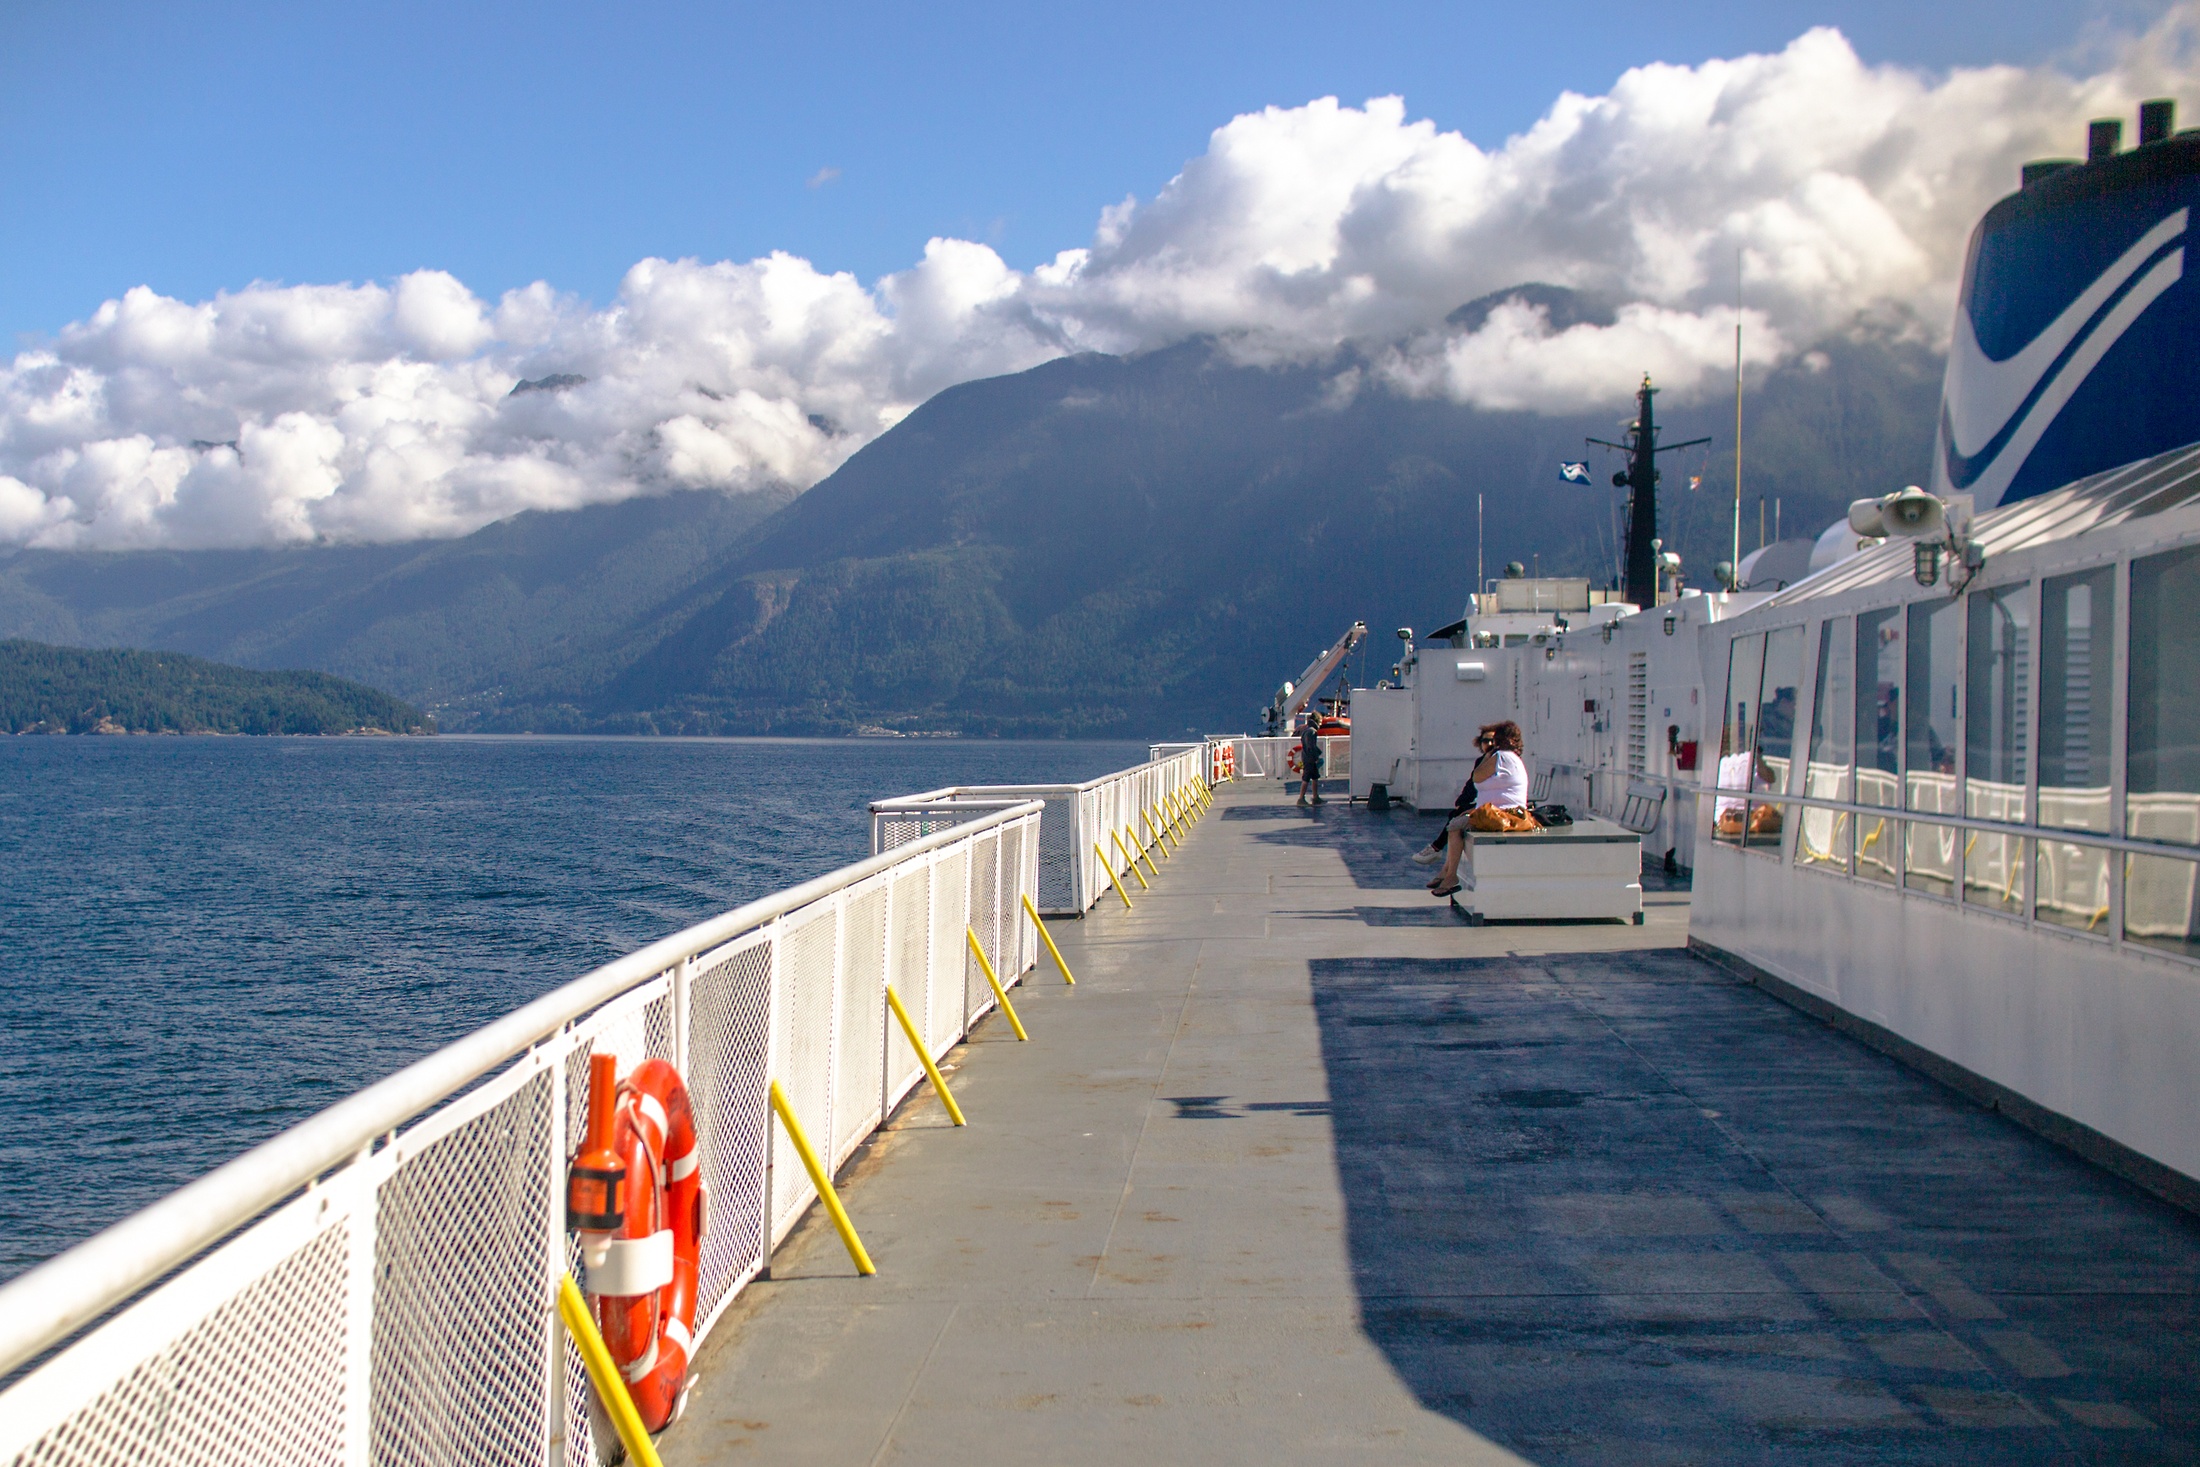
x: 1625, y: 1209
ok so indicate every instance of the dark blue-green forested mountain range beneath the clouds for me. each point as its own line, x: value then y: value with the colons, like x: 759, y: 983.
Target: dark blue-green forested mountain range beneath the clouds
x: 1097, y: 547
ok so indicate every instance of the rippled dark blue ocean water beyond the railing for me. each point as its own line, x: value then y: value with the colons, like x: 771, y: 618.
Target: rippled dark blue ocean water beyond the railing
x: 208, y: 940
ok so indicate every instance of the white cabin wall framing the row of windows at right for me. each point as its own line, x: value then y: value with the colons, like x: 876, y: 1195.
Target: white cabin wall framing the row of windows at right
x: 2076, y: 1015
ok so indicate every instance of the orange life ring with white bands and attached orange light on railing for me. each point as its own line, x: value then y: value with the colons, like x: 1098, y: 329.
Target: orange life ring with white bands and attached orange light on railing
x: 643, y: 1250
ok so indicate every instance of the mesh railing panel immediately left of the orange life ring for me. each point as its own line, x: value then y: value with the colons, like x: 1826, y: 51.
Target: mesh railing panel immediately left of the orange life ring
x: 461, y: 1292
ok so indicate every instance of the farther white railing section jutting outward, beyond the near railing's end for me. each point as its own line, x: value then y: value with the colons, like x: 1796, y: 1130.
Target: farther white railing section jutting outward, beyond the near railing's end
x: 1088, y: 830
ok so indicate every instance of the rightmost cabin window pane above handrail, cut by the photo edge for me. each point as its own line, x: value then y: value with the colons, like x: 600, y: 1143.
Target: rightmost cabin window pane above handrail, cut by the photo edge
x: 2164, y: 753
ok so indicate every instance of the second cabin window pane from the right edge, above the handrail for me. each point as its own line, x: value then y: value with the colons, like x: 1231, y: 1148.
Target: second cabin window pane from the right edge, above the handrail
x: 2078, y: 635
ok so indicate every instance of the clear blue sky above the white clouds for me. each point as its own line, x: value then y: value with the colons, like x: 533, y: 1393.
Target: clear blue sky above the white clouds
x: 206, y: 146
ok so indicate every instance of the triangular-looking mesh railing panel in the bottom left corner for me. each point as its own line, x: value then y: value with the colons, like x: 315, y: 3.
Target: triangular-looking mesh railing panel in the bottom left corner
x: 258, y: 1380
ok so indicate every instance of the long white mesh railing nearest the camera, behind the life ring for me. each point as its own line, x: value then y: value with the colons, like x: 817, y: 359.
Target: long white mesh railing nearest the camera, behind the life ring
x: 382, y: 1277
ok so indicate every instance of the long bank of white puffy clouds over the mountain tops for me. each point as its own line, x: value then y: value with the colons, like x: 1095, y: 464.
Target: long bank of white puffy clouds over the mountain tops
x: 379, y: 412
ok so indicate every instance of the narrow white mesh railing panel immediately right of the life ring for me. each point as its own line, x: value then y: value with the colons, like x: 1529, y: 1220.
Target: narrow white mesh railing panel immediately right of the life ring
x: 729, y: 1052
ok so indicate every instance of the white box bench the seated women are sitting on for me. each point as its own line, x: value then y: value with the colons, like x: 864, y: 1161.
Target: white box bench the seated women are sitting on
x: 1565, y: 874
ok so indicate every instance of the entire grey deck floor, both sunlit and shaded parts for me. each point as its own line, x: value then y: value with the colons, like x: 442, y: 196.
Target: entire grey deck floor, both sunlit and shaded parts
x: 1308, y: 1171
